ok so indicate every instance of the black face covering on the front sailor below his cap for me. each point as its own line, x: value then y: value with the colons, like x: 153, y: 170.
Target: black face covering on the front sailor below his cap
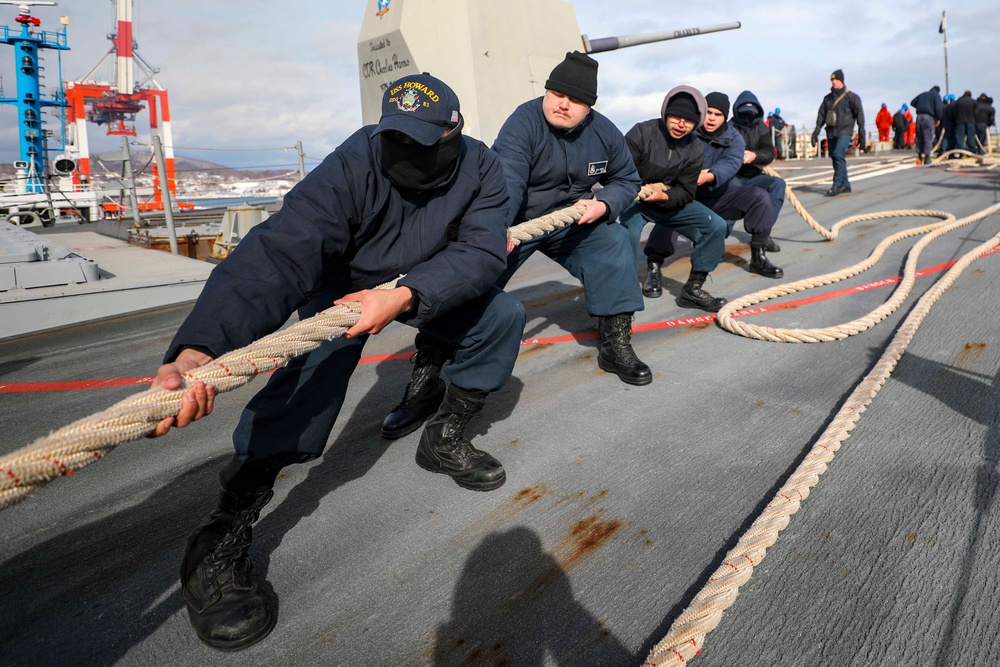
x: 412, y: 166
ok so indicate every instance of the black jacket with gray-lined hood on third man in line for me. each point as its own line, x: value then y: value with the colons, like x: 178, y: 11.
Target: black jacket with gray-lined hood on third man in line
x: 662, y: 159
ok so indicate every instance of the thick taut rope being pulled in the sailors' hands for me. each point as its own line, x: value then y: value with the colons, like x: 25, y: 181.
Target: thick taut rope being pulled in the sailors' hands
x: 63, y: 452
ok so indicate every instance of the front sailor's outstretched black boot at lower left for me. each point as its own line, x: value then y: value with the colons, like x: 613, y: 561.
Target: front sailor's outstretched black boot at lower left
x: 226, y: 606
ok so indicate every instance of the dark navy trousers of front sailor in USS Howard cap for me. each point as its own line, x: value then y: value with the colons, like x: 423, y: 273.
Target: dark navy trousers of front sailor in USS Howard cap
x: 290, y: 419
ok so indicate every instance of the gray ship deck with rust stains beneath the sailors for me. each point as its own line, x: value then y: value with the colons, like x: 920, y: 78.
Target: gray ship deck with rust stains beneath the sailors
x: 619, y: 502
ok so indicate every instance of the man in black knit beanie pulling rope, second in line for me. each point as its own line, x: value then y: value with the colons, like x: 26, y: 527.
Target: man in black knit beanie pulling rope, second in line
x: 555, y: 151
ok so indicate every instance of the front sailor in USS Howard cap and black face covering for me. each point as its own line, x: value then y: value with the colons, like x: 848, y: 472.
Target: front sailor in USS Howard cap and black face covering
x: 410, y: 196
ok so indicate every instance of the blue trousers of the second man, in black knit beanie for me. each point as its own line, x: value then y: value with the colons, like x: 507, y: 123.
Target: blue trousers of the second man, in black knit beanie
x: 599, y: 255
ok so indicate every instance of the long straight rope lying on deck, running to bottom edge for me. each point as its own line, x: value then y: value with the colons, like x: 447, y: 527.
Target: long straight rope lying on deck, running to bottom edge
x: 686, y: 636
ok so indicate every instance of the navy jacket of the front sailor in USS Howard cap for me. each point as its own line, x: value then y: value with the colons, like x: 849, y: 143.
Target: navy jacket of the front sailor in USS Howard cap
x: 346, y: 226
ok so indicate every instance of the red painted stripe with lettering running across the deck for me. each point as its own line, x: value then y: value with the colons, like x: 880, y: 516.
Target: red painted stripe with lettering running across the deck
x: 74, y: 385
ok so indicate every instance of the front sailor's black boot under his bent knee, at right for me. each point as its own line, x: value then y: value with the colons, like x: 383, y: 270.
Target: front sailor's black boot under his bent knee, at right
x: 444, y: 449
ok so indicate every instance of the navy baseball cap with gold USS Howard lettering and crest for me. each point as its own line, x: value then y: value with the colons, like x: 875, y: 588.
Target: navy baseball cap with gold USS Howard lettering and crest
x: 420, y: 106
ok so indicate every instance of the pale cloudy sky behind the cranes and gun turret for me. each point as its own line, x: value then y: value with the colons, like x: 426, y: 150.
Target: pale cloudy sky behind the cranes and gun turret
x: 248, y: 74
